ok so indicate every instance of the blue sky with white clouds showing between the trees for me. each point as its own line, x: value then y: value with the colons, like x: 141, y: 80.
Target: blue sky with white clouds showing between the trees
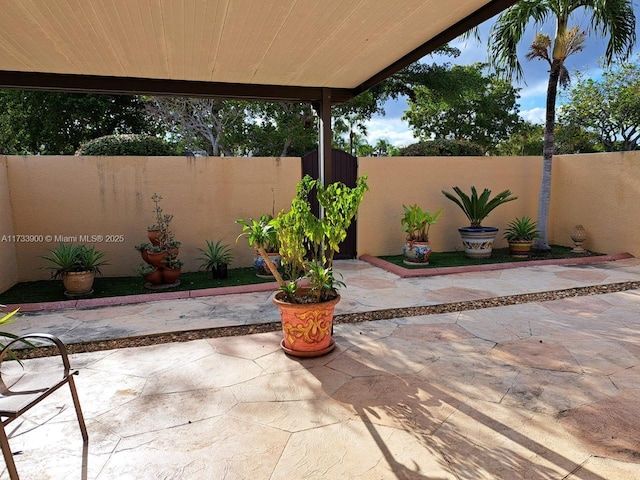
x: 533, y: 90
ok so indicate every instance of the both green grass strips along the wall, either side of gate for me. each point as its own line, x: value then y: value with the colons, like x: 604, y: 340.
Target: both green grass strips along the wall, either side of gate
x: 53, y: 290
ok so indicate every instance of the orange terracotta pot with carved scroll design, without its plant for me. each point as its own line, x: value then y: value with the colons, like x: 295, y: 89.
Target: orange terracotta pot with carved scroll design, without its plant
x: 306, y: 328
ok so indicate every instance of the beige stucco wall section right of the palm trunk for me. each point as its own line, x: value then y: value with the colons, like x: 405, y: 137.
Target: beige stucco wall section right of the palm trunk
x: 600, y: 191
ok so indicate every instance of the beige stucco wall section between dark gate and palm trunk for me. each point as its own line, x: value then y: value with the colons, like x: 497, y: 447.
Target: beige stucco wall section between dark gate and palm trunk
x: 409, y: 180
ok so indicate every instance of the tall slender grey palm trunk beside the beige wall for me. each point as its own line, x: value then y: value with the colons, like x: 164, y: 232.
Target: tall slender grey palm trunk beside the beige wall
x: 544, y: 199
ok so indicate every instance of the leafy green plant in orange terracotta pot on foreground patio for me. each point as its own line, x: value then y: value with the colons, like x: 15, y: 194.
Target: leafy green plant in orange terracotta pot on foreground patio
x: 307, y: 246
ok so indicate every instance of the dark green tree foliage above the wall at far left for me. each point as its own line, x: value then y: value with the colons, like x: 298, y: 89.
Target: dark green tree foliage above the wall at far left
x: 51, y: 123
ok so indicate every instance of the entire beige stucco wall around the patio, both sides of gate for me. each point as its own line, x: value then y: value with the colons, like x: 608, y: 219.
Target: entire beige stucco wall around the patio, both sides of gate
x: 111, y: 196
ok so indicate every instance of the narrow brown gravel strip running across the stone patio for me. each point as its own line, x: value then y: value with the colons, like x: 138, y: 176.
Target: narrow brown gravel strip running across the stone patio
x: 386, y: 314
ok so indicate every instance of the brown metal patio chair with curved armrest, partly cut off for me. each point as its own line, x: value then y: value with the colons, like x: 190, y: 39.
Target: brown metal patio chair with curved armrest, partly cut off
x: 14, y: 402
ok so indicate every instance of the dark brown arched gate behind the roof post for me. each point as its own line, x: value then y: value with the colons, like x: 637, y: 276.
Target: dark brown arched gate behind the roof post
x: 345, y: 170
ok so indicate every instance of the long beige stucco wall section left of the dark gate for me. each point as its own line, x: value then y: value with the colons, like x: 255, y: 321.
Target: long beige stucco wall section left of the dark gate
x: 111, y: 197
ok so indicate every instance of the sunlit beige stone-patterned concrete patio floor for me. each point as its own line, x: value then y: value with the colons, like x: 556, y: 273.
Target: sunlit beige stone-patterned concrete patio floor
x: 542, y: 390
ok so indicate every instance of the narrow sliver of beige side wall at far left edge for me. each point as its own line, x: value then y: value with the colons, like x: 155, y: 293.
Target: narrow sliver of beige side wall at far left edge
x: 8, y: 265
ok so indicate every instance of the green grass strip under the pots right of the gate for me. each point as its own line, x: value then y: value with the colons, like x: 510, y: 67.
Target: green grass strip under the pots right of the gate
x: 499, y: 255
